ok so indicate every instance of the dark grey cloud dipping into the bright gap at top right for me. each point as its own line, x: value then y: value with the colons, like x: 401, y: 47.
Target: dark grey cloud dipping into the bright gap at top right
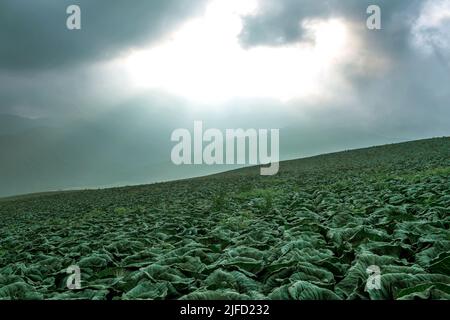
x: 279, y: 22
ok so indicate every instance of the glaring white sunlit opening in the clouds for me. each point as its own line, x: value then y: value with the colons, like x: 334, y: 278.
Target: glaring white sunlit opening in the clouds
x: 204, y: 61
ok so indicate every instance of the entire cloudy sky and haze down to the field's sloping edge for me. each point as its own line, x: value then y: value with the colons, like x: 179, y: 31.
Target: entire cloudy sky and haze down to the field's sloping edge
x: 134, y: 73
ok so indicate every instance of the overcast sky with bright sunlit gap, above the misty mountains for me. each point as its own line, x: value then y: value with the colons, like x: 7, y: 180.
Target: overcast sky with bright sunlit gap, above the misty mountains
x: 301, y: 56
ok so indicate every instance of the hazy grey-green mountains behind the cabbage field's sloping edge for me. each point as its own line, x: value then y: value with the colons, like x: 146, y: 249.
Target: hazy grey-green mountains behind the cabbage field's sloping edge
x: 128, y: 147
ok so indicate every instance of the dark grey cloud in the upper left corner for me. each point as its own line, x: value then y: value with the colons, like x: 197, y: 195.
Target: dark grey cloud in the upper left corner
x: 33, y: 34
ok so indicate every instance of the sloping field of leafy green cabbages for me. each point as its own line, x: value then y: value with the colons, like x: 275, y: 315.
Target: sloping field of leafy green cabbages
x: 310, y: 232
